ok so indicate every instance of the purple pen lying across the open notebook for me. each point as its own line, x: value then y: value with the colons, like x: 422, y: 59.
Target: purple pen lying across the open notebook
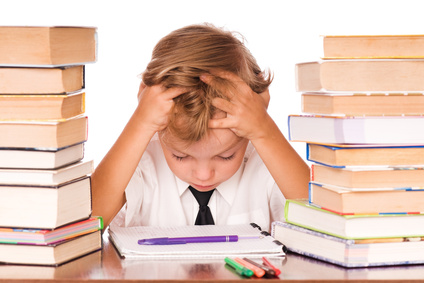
x: 187, y: 240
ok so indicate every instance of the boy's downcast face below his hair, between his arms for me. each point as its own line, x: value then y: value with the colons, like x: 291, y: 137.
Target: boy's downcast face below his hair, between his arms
x: 207, y: 163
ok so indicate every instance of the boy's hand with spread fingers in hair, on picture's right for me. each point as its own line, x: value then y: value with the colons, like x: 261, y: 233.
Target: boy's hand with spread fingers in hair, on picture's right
x: 246, y: 110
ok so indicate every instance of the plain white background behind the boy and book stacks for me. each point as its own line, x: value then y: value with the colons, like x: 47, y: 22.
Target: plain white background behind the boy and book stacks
x: 278, y: 33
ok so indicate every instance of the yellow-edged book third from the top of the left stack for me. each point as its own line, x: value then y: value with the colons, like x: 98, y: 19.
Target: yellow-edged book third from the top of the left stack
x: 41, y: 107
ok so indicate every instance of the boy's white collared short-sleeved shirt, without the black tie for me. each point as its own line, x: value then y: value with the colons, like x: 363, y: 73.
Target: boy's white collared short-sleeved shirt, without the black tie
x: 156, y: 197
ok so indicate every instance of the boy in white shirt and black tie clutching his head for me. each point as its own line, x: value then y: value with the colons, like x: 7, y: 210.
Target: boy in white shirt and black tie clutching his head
x: 201, y: 130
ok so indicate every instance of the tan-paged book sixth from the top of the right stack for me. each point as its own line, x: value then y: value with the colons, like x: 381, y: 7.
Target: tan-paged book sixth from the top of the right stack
x: 369, y: 176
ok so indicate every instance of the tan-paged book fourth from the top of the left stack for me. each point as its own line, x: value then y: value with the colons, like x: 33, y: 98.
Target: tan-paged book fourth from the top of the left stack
x: 43, y: 134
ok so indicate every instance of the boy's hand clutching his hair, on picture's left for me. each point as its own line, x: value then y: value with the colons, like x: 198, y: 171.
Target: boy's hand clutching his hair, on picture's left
x: 155, y: 106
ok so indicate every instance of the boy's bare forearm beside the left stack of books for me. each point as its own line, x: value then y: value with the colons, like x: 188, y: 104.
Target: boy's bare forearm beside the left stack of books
x: 114, y: 172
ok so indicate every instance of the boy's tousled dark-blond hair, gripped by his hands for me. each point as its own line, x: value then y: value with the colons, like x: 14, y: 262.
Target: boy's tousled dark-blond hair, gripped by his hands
x: 181, y: 57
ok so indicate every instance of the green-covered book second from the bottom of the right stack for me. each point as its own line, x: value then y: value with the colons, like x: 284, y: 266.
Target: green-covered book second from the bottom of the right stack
x: 361, y: 226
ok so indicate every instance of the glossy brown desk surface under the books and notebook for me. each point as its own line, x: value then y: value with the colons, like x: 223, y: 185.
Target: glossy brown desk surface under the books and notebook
x: 106, y: 265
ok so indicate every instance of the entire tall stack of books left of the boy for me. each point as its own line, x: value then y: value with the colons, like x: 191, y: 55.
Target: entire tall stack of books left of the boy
x: 45, y: 204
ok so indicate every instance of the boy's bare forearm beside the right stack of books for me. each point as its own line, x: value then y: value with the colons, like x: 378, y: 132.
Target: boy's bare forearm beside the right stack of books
x: 288, y: 169
